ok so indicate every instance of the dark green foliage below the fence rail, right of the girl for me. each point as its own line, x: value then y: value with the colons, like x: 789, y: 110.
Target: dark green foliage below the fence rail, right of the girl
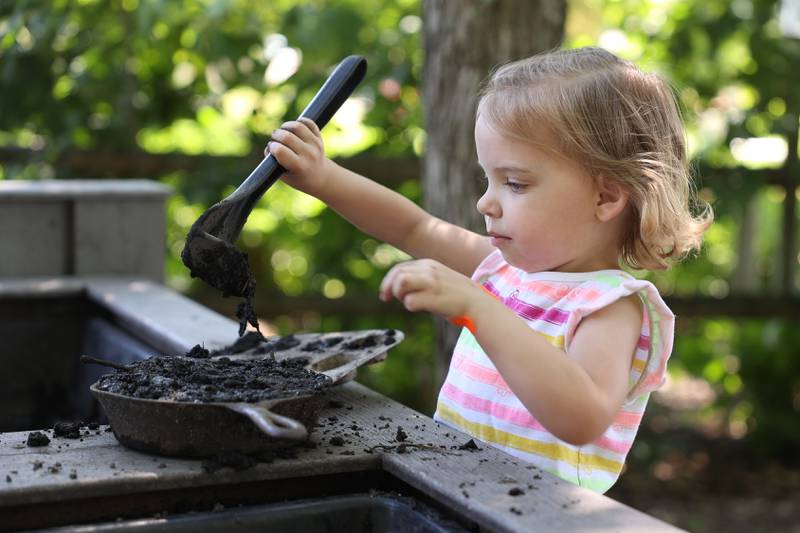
x: 755, y: 376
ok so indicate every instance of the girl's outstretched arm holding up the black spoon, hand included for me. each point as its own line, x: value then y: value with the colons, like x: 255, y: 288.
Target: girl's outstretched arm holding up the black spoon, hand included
x: 371, y: 207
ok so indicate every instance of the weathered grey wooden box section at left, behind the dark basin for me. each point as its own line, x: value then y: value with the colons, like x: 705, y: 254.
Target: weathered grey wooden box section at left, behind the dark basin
x: 83, y: 228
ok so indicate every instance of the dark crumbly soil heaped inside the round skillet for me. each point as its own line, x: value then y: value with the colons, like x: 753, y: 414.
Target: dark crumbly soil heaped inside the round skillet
x: 214, y: 380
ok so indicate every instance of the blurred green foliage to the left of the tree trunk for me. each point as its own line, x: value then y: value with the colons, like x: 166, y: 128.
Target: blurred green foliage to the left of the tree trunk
x: 217, y: 77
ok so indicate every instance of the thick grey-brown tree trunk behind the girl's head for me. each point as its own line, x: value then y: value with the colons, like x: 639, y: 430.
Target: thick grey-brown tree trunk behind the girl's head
x: 463, y: 41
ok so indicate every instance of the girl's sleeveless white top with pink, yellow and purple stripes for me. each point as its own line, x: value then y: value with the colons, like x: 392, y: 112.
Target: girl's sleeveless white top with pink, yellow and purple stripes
x: 476, y: 399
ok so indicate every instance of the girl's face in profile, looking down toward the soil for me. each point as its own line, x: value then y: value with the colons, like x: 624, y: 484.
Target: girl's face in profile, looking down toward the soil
x: 539, y: 207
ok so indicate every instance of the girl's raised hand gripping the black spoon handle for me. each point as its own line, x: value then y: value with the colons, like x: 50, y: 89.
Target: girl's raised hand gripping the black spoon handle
x: 297, y: 145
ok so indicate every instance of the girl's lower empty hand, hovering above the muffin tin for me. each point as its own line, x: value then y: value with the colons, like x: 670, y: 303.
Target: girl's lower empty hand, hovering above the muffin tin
x: 427, y: 285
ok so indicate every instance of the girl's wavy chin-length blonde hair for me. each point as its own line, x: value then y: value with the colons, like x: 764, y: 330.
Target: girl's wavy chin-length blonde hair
x: 618, y: 122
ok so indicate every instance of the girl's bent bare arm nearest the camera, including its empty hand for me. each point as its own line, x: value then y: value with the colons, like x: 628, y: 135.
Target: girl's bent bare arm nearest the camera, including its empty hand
x: 575, y: 395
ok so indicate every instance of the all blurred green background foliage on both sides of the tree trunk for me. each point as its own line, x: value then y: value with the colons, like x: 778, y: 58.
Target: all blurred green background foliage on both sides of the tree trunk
x: 217, y: 77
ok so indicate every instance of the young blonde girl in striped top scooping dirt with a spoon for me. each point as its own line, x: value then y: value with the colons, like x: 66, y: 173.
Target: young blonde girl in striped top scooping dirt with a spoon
x: 586, y: 170
